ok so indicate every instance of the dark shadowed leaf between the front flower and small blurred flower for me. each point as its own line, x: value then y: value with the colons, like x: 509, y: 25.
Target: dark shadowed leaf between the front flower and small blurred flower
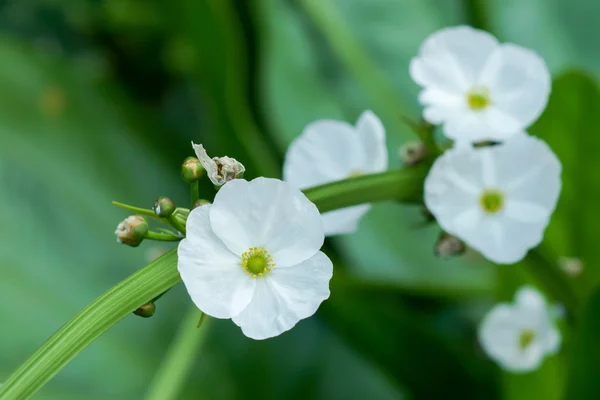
x: 412, y: 341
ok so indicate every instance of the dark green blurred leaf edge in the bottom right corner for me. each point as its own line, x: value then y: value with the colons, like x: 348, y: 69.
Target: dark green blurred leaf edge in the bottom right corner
x: 583, y: 366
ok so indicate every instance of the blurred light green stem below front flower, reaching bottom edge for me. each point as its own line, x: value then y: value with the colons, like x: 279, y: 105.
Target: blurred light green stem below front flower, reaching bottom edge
x: 176, y: 366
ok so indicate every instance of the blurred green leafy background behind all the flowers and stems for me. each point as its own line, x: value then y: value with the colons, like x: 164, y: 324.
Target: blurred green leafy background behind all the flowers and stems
x: 100, y: 100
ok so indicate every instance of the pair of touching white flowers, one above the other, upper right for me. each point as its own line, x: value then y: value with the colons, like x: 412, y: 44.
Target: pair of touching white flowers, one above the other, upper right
x: 497, y: 198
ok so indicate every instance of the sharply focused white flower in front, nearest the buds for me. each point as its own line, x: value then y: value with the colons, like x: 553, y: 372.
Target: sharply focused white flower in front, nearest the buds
x: 253, y: 256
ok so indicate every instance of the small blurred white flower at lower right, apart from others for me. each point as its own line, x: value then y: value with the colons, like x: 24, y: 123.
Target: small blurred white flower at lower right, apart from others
x: 518, y: 336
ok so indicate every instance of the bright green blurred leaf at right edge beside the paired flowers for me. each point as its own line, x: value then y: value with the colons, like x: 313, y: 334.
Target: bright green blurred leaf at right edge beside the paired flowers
x: 570, y: 128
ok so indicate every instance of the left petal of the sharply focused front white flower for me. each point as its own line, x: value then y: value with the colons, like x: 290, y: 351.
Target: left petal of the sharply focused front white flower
x: 212, y: 274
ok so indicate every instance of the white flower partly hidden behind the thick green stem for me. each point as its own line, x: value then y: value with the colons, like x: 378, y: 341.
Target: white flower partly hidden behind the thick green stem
x: 328, y: 151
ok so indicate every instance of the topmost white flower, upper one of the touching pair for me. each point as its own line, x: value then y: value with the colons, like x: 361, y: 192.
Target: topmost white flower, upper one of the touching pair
x: 478, y: 88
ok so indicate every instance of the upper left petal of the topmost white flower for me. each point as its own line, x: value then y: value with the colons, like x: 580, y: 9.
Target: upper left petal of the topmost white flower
x: 451, y: 59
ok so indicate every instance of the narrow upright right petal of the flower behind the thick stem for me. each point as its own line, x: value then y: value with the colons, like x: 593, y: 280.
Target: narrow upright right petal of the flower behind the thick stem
x: 371, y: 134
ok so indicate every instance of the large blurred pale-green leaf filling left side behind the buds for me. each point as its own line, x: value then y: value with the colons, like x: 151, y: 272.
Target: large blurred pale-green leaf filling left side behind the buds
x: 67, y: 151
